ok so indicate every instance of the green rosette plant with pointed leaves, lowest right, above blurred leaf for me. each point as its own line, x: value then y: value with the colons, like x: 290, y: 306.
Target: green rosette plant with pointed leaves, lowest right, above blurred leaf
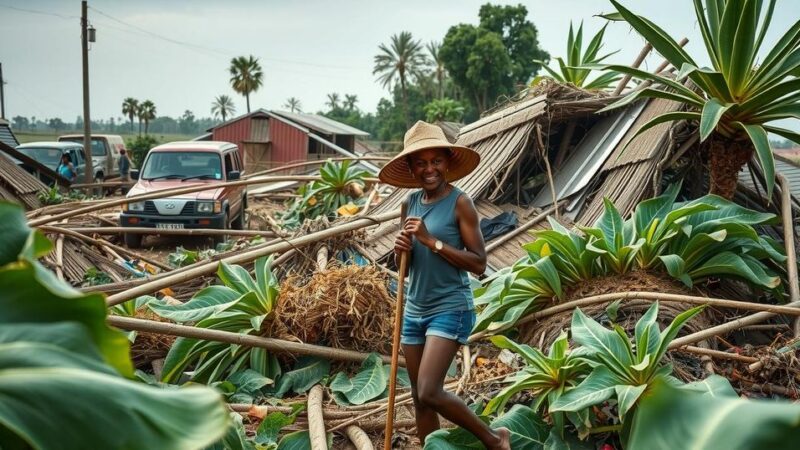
x: 622, y: 367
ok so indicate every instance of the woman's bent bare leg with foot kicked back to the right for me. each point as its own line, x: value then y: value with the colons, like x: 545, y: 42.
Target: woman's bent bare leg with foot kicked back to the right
x: 437, y: 355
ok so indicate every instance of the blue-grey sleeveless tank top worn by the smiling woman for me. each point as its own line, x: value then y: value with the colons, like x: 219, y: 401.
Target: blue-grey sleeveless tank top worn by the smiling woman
x: 435, y: 285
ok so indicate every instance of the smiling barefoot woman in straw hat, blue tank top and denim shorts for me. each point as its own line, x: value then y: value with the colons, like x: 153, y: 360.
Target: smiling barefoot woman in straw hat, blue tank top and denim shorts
x: 441, y: 235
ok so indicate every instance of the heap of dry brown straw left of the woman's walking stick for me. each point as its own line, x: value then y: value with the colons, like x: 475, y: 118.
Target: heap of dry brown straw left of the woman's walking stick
x: 343, y: 307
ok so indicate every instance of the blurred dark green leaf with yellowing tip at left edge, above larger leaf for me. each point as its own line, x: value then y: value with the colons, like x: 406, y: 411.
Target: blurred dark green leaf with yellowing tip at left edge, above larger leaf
x: 37, y: 297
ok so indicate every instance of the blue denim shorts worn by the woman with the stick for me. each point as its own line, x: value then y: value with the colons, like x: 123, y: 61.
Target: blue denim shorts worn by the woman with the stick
x: 453, y: 325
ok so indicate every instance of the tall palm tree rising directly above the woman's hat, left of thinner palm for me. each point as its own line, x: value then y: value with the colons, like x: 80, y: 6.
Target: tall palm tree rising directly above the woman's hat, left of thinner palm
x: 396, y: 62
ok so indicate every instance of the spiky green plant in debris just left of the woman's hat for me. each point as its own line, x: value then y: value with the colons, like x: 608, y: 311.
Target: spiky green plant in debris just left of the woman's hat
x: 340, y: 185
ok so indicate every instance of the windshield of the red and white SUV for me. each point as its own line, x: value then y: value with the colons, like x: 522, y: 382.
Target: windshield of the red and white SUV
x: 182, y: 165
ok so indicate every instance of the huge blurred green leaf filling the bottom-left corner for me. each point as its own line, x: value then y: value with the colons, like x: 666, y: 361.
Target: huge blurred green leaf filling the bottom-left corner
x: 137, y: 416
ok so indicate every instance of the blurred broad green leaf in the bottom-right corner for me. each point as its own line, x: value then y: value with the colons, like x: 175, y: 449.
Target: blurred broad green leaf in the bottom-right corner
x: 704, y: 421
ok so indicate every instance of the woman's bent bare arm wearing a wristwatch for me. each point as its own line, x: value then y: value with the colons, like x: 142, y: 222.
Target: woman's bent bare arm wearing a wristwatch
x: 473, y: 257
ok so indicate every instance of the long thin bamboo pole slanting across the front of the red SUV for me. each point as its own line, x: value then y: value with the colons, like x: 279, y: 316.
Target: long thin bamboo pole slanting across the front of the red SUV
x: 97, y: 206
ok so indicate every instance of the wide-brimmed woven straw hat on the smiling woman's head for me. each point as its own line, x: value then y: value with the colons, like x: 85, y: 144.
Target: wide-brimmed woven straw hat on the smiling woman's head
x: 423, y: 136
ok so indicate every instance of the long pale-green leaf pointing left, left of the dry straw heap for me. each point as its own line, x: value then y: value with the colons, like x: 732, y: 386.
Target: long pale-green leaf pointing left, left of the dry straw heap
x: 204, y: 304
